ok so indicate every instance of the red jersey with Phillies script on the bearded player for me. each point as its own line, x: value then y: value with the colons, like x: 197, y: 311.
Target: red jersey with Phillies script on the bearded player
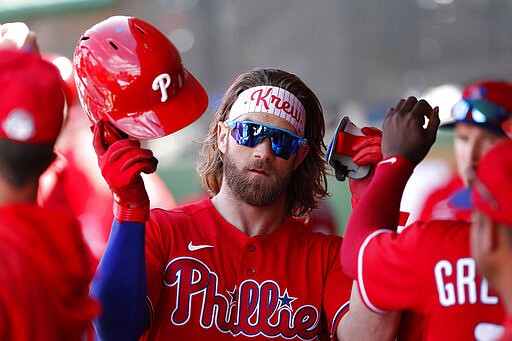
x: 209, y: 281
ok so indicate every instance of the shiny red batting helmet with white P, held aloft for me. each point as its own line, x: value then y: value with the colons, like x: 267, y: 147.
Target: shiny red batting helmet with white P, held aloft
x: 129, y: 74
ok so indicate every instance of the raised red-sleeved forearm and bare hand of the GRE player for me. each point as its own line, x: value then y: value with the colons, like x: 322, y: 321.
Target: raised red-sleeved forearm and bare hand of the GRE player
x: 405, y: 142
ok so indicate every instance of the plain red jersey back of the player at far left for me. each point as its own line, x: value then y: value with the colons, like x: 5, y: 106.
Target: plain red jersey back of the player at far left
x: 45, y: 275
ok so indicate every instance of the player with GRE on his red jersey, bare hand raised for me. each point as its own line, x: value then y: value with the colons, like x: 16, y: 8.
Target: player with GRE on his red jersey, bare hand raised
x: 427, y: 268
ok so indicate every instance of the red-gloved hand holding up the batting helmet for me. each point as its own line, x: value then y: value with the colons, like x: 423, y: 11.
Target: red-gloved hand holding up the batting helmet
x: 121, y: 165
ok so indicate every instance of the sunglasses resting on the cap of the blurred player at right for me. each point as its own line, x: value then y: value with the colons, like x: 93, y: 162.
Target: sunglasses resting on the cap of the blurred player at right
x: 486, y: 112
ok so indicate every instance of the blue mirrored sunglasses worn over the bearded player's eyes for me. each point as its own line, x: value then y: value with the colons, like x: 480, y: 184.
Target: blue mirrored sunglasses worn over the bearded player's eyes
x: 247, y: 133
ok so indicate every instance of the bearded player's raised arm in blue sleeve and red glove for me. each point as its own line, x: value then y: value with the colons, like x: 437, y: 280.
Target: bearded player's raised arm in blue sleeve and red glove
x: 120, y: 282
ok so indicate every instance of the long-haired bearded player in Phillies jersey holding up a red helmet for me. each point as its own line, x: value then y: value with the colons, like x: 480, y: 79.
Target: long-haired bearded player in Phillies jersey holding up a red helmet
x: 237, y: 264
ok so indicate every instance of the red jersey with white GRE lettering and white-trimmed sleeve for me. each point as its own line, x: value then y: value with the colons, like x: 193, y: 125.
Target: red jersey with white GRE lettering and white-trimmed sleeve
x: 428, y: 269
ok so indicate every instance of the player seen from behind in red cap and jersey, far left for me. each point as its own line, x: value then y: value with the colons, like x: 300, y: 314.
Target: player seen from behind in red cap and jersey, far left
x: 46, y: 266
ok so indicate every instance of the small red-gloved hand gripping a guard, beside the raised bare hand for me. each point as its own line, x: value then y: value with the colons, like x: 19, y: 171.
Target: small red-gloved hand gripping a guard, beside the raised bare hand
x: 368, y: 150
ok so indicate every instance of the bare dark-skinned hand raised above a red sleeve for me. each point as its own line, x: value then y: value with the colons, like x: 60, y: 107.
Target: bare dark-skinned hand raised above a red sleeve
x: 403, y: 131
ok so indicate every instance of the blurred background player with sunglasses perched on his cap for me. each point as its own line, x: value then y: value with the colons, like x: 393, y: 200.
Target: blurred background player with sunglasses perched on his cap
x: 477, y: 119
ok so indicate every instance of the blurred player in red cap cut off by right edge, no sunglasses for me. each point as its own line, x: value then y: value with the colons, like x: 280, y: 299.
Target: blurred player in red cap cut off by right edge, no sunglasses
x: 491, y: 231
